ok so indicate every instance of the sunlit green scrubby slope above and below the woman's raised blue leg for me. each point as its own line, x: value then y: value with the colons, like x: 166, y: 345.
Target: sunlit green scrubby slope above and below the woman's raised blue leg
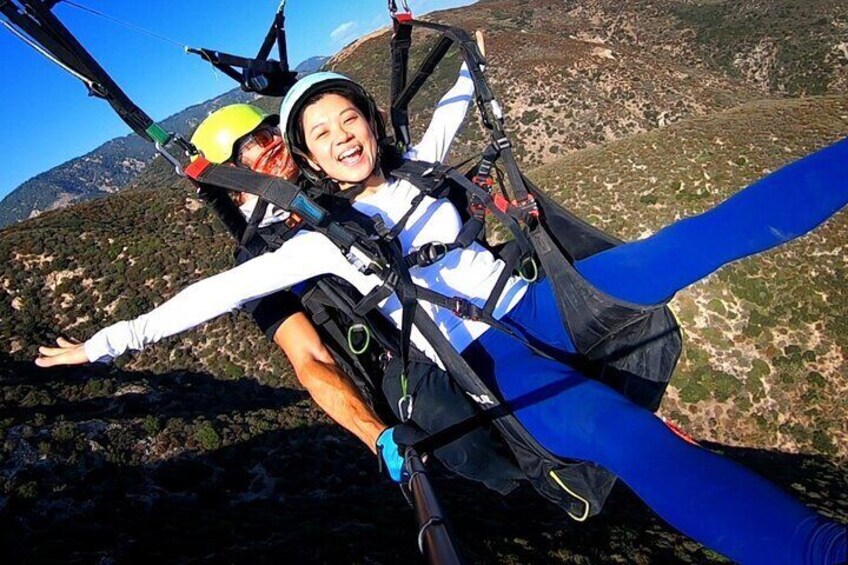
x: 768, y: 334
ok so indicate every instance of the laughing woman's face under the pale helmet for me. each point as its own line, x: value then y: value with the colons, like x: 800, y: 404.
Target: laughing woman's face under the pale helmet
x: 339, y: 140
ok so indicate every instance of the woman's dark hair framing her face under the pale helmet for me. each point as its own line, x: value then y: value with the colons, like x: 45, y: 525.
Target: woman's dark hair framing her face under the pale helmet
x: 388, y: 155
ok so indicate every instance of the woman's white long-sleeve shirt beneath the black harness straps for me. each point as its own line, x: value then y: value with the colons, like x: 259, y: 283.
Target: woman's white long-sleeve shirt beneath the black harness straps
x: 469, y: 273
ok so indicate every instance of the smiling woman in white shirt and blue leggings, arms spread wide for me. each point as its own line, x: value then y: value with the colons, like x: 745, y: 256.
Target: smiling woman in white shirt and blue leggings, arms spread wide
x: 469, y: 305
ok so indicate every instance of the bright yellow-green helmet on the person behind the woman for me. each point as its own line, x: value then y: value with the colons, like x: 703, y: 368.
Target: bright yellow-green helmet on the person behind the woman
x: 217, y: 134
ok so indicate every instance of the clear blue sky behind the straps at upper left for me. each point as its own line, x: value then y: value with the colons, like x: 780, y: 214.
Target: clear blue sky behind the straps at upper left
x: 47, y: 117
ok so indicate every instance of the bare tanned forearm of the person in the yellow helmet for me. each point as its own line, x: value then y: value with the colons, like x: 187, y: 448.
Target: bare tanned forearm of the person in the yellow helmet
x: 325, y: 381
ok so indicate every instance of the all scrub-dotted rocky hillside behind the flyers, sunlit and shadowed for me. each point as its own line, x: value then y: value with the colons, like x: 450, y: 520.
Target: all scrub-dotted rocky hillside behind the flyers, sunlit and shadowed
x: 204, y: 448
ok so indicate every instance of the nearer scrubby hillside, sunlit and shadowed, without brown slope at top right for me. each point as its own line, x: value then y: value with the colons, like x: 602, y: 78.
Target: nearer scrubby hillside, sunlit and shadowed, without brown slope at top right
x: 193, y: 435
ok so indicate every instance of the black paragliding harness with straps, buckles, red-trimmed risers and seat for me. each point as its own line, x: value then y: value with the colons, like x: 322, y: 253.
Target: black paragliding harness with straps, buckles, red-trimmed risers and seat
x: 631, y: 348
